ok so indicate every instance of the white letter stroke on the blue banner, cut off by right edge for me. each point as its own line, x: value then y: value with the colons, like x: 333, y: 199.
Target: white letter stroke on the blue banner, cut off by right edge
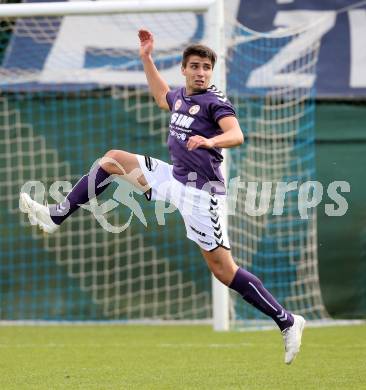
x: 357, y: 21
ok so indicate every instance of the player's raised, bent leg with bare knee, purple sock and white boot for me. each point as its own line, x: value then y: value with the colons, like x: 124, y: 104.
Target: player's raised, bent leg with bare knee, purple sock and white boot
x: 114, y: 162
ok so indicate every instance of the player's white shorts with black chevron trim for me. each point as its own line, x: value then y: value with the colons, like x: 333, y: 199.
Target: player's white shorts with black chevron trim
x: 202, y: 212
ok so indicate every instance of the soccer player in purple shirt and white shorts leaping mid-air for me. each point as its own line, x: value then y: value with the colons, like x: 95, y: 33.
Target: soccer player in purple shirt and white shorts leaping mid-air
x: 203, y: 121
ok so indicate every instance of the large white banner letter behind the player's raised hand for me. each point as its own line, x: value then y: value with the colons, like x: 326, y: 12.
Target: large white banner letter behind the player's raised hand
x: 77, y: 35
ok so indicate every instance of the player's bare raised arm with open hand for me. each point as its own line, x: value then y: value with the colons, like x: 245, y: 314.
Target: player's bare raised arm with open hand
x: 157, y: 85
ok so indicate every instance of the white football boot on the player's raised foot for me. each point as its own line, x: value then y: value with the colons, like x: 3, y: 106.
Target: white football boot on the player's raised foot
x: 38, y: 214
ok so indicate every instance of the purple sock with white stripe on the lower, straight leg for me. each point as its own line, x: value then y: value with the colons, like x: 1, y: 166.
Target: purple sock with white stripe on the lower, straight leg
x: 253, y: 291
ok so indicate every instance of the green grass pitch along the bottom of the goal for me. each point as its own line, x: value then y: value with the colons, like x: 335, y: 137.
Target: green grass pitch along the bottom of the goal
x: 177, y: 357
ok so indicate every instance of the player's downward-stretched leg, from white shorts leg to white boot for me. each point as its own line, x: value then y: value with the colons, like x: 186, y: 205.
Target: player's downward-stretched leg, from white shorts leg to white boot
x: 206, y: 225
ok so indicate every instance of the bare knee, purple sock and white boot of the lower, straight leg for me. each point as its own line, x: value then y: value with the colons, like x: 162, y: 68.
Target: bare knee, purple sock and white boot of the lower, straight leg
x: 222, y: 265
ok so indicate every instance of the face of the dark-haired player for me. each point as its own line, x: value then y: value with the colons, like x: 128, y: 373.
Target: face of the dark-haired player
x: 197, y: 72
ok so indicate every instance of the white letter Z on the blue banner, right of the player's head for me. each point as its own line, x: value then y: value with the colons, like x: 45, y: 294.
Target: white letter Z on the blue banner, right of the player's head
x: 271, y: 73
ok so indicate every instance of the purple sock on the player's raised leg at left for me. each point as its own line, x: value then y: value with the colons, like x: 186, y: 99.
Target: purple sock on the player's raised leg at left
x: 80, y: 194
